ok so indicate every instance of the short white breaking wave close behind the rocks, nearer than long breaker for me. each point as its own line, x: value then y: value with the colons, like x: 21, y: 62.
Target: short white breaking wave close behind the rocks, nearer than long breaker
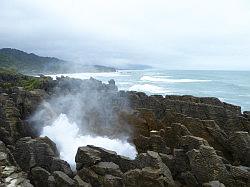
x: 148, y: 88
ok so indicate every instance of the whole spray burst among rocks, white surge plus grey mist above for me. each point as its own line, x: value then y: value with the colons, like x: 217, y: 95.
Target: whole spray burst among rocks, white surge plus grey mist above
x: 84, y: 114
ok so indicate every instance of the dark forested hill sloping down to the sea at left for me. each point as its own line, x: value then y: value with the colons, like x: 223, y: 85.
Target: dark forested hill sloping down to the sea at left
x: 30, y: 63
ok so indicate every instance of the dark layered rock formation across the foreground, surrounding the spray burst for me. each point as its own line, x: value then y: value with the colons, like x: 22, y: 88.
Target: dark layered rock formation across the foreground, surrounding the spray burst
x: 180, y: 140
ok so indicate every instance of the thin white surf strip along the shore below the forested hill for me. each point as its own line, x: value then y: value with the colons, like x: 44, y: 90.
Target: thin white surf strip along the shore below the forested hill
x: 88, y: 75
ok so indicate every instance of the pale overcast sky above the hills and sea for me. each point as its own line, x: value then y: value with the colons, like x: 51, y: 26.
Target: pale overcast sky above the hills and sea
x: 174, y: 34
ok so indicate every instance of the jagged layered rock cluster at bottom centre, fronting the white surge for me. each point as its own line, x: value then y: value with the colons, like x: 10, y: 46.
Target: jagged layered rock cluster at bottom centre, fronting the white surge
x: 101, y: 167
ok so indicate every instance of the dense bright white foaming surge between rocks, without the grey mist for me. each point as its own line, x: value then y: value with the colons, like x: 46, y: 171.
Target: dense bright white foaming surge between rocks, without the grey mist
x: 67, y: 138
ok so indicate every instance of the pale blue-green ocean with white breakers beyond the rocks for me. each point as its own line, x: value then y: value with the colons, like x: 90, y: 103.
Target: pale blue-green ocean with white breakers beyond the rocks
x: 229, y: 86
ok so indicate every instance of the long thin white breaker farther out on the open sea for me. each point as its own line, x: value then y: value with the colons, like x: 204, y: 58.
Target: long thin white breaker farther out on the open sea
x: 166, y: 80
